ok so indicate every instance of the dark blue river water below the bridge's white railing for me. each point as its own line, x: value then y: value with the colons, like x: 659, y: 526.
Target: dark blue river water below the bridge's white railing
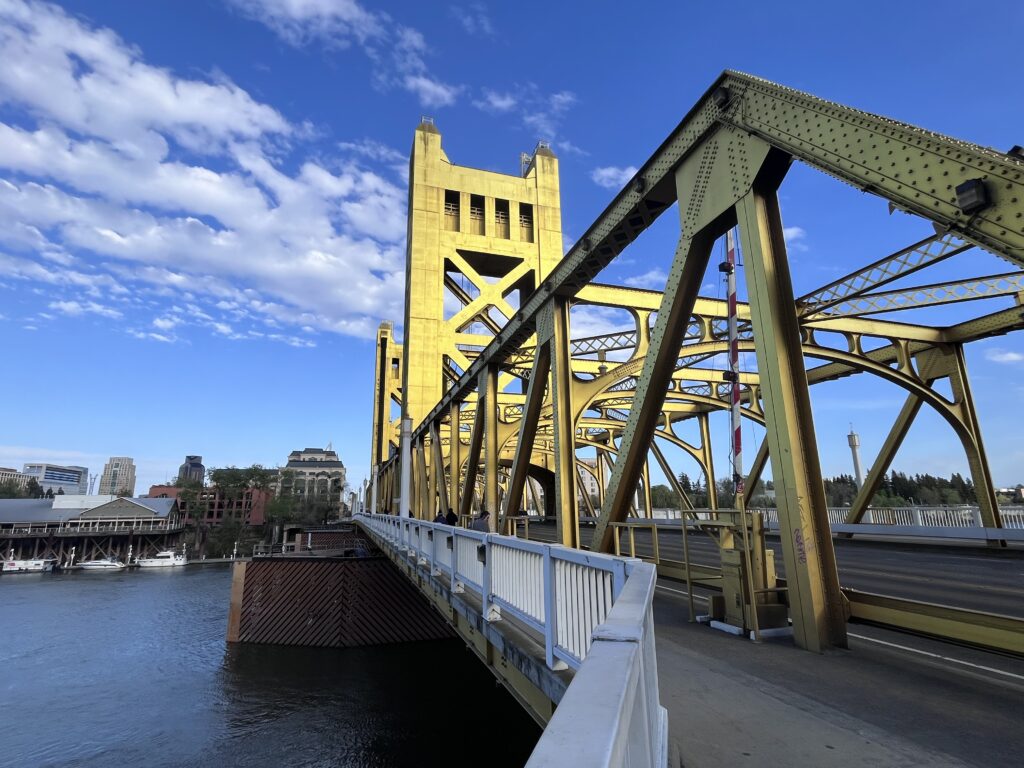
x: 133, y: 669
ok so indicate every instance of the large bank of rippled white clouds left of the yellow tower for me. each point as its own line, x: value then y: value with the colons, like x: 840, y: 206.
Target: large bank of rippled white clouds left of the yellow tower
x: 143, y: 185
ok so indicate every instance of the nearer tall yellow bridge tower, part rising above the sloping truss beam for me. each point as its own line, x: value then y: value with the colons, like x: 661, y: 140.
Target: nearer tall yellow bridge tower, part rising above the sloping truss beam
x: 479, y: 242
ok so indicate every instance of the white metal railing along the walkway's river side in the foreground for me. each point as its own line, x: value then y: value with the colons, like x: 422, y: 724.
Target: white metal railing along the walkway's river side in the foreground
x: 594, y: 613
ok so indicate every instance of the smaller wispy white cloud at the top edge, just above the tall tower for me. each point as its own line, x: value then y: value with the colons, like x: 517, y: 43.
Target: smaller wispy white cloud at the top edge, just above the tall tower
x: 399, y: 53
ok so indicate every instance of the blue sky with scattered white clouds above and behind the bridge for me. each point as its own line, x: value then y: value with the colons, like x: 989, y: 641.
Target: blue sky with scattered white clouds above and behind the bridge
x: 202, y: 204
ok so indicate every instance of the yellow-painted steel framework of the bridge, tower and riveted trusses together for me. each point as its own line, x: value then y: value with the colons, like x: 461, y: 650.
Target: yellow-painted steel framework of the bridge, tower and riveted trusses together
x: 460, y: 245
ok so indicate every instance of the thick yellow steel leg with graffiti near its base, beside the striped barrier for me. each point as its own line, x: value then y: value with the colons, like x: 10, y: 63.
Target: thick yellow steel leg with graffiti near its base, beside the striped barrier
x: 817, y: 604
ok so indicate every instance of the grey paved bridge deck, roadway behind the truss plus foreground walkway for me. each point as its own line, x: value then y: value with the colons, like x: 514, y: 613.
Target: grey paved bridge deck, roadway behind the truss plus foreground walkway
x: 890, y: 701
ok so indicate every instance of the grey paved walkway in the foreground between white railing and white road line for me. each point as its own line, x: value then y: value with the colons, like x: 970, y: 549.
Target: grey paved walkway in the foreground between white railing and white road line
x: 733, y: 703
